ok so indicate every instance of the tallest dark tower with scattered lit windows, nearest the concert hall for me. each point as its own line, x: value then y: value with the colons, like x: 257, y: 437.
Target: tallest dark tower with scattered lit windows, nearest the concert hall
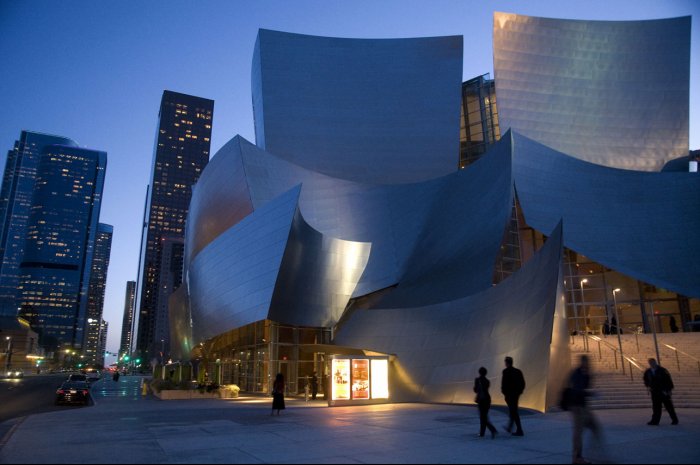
x: 181, y: 153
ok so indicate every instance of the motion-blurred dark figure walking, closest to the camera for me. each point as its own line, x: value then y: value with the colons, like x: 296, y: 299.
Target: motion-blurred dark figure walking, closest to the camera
x: 579, y: 391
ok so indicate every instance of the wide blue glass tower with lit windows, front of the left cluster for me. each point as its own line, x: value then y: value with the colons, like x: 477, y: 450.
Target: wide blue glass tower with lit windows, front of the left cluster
x: 61, y: 232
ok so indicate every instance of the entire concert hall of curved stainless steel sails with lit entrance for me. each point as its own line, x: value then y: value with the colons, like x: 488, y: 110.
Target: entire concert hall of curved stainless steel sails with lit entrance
x: 350, y: 241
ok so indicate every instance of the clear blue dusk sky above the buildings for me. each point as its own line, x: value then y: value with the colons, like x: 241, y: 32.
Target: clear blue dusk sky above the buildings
x: 95, y: 72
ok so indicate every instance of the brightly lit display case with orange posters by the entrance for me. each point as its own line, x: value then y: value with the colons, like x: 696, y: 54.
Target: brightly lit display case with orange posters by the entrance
x: 359, y: 381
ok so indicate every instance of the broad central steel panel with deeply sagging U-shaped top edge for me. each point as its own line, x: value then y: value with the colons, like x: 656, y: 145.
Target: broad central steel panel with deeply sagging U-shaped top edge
x: 399, y: 220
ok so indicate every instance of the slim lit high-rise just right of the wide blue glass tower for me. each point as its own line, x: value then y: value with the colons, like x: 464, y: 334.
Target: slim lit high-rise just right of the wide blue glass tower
x: 96, y: 294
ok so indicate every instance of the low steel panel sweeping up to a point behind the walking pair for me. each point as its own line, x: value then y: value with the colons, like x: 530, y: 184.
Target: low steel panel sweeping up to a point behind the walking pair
x: 440, y: 348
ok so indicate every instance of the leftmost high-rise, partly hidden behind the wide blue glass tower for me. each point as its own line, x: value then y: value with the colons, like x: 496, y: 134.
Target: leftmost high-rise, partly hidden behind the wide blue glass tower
x: 16, y: 195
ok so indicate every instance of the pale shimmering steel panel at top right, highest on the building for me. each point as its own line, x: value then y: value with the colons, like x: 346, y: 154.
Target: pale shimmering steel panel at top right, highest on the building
x: 614, y: 93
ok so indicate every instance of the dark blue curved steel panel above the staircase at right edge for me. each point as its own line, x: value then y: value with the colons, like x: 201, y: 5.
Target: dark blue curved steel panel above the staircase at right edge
x: 644, y: 225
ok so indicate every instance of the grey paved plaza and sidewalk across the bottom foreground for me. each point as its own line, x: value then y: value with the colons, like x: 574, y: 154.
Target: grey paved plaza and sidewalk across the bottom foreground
x: 123, y: 427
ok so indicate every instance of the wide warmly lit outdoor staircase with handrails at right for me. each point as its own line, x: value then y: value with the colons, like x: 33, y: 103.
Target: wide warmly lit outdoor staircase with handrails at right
x: 616, y: 390
